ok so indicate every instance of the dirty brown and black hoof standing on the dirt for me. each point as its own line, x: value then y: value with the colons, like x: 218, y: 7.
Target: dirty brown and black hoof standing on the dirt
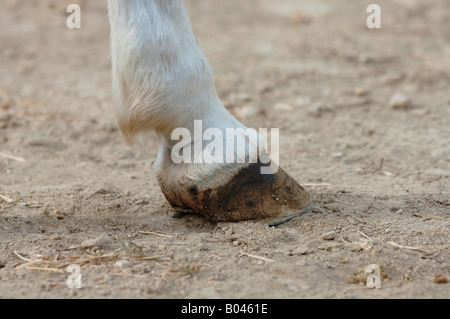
x: 245, y: 195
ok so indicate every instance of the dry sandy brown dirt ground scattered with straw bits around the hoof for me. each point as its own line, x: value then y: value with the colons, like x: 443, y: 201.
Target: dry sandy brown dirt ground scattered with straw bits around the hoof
x: 379, y: 175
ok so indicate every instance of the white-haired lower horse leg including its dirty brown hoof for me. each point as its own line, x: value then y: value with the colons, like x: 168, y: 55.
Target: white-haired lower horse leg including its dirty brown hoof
x: 162, y: 81
